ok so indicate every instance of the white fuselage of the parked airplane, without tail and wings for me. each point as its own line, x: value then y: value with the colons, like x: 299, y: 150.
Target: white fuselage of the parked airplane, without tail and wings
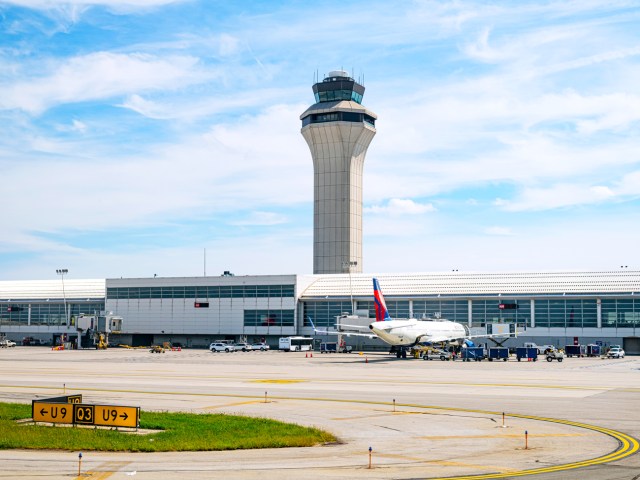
x: 412, y: 331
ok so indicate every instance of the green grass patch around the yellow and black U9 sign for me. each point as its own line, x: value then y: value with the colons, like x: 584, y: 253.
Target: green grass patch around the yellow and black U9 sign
x: 181, y: 432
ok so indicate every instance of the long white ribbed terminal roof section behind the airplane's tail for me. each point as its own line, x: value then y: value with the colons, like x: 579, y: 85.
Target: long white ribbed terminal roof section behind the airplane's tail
x: 477, y: 284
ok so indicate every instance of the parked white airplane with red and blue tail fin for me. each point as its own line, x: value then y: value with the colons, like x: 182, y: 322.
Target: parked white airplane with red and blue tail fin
x: 403, y: 333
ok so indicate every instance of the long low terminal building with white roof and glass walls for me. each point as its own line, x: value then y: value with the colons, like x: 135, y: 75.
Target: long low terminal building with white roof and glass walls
x: 556, y: 308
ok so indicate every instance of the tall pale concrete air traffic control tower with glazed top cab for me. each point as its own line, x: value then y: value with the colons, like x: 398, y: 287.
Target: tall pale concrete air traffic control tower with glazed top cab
x: 338, y: 130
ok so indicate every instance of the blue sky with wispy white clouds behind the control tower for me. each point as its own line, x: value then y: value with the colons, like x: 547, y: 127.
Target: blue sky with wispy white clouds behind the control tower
x: 135, y: 134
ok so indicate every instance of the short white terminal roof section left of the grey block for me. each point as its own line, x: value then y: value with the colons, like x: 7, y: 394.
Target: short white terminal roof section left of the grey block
x: 45, y: 289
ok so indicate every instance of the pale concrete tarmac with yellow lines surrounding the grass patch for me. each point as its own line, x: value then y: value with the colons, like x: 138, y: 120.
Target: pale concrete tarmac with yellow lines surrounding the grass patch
x: 422, y: 419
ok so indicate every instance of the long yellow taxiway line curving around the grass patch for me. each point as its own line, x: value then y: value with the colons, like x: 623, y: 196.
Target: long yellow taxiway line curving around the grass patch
x: 627, y: 445
